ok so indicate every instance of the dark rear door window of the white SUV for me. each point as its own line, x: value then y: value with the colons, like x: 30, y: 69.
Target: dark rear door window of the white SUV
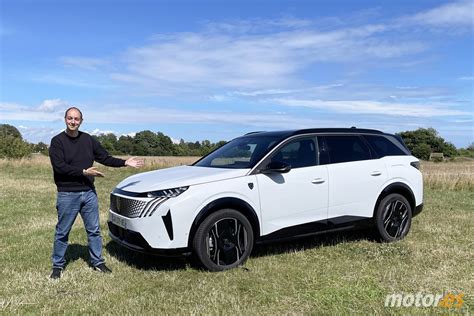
x: 345, y: 148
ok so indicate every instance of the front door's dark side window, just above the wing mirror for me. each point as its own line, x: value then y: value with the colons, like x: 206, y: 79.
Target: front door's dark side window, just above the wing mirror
x: 298, y: 153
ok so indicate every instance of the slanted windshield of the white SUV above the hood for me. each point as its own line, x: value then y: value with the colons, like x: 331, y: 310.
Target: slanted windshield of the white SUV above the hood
x: 240, y: 153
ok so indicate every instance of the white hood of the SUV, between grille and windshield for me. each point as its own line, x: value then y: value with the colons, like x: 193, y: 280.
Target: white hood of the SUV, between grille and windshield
x: 177, y: 177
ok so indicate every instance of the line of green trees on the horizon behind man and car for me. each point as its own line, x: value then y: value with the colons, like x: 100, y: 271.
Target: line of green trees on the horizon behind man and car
x: 421, y: 142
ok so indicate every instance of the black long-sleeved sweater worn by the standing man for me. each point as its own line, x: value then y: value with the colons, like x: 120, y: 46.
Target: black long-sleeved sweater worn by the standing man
x: 71, y: 155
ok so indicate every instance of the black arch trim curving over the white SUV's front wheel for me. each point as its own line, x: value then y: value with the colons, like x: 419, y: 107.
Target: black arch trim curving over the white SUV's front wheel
x: 228, y: 202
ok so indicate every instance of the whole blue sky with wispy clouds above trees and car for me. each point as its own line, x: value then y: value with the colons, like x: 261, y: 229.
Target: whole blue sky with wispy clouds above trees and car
x: 217, y: 69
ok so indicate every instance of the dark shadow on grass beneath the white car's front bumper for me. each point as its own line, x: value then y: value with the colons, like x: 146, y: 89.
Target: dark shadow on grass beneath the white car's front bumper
x: 143, y: 261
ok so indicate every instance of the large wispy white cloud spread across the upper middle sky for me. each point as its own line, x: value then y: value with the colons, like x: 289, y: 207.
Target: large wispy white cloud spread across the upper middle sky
x: 265, y: 61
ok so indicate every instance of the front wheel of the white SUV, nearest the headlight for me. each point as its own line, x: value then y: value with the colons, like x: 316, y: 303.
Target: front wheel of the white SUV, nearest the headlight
x: 223, y: 240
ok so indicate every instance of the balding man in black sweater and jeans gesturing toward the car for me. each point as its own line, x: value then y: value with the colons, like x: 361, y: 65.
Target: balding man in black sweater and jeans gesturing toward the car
x: 72, y: 155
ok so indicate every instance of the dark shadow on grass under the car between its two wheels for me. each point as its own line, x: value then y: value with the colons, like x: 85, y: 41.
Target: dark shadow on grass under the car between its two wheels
x: 298, y: 244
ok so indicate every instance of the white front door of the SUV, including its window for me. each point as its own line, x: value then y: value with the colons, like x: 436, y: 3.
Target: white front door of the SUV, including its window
x: 299, y: 196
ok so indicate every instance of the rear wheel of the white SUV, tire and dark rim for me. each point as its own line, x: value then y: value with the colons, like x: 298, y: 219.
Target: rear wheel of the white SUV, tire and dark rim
x: 393, y: 218
